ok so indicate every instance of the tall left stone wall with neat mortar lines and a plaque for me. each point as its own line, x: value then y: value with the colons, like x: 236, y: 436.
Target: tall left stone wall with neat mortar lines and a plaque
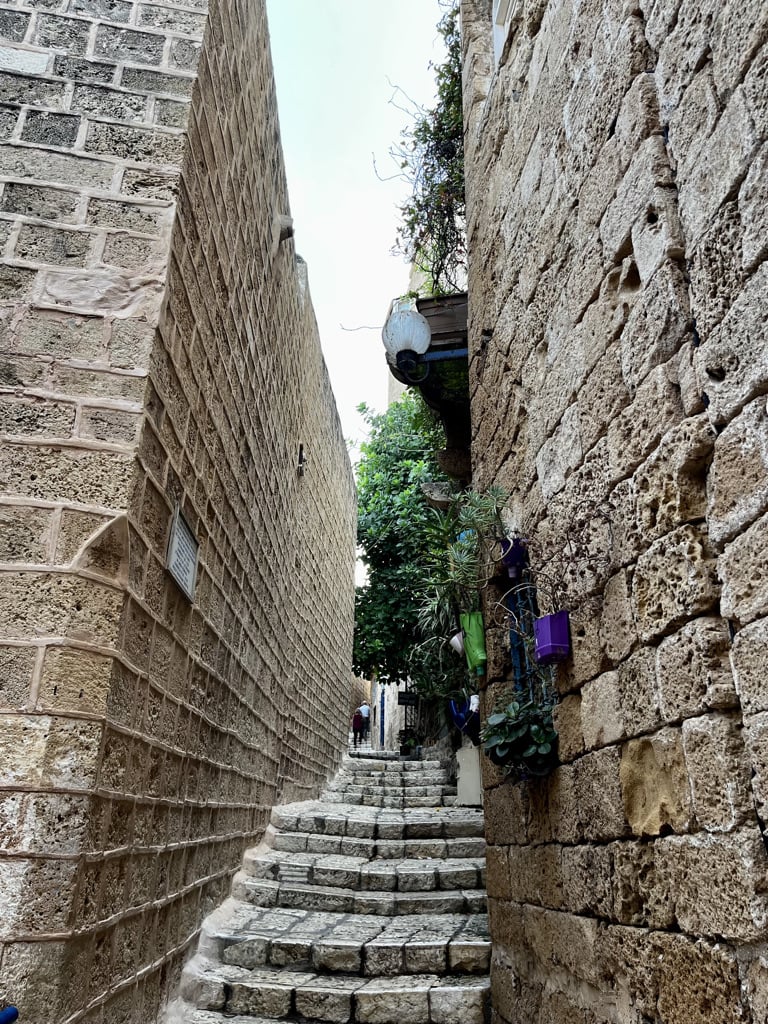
x: 159, y: 352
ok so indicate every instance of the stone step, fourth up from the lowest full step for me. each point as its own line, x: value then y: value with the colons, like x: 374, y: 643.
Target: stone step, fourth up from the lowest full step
x: 359, y: 873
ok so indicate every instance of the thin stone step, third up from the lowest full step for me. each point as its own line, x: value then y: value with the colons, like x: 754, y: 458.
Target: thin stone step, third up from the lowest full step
x: 337, y: 900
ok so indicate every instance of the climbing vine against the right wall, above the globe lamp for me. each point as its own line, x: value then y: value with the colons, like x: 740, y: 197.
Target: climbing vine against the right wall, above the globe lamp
x: 432, y: 158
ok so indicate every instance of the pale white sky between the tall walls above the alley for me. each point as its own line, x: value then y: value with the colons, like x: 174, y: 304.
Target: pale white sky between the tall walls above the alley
x: 333, y: 60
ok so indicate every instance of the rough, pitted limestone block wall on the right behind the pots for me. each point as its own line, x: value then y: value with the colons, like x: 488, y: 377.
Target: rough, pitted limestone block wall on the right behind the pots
x: 617, y: 195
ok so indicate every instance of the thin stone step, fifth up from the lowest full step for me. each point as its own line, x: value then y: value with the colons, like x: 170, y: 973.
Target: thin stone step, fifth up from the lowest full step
x: 385, y: 849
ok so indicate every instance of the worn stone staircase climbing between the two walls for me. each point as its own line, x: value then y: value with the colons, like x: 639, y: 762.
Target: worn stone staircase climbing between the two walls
x: 366, y: 907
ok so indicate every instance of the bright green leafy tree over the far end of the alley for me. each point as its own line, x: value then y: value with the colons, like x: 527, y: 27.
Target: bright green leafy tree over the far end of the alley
x: 398, y: 533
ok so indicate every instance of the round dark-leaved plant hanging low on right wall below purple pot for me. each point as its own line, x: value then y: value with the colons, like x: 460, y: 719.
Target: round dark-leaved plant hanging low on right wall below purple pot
x: 521, y: 737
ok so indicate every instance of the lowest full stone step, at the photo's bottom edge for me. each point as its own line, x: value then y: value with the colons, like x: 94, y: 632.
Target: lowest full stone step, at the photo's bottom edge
x: 277, y: 995
